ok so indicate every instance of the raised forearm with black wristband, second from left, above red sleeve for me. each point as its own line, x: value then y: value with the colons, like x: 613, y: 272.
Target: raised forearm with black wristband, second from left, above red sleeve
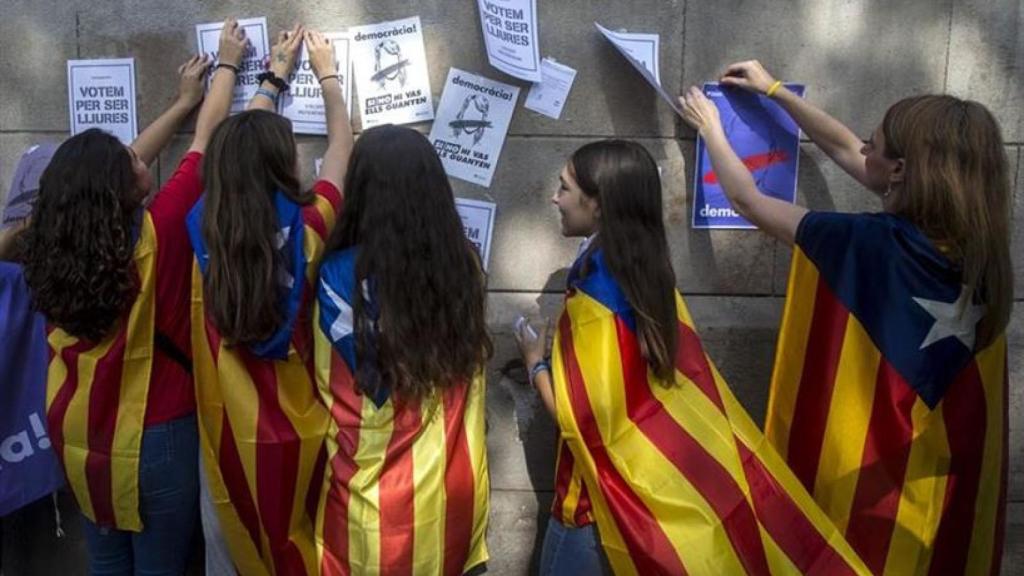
x: 219, y: 101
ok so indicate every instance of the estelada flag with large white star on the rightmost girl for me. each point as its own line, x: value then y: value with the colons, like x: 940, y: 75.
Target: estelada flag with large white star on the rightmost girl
x: 882, y: 404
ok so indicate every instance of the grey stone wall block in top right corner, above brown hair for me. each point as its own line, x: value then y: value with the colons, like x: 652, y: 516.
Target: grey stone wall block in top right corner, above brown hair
x: 987, y: 60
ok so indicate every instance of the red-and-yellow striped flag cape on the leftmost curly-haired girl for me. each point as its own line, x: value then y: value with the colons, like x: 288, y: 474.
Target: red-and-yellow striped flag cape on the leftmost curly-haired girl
x: 96, y: 401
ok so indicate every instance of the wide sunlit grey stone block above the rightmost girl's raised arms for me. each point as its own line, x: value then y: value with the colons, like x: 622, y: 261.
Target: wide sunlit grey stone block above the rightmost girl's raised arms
x: 857, y: 57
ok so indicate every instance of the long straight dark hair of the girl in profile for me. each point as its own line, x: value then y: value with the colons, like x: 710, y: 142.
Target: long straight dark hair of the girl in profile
x: 624, y: 179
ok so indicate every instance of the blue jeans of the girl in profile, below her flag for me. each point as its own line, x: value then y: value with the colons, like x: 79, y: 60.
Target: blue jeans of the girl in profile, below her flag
x: 573, y: 551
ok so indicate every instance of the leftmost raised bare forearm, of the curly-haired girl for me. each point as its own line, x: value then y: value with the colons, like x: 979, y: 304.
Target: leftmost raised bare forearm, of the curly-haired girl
x: 156, y: 136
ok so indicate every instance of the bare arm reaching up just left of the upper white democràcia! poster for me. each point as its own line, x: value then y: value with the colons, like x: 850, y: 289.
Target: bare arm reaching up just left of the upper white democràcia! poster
x: 339, y: 128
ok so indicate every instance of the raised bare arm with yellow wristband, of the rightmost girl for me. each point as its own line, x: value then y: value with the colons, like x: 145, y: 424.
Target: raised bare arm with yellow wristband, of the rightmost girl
x: 830, y: 135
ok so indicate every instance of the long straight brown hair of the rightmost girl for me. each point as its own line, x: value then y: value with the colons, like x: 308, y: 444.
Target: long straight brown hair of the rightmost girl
x: 957, y: 191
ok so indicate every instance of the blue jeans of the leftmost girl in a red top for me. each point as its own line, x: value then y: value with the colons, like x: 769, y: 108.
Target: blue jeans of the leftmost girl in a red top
x: 168, y: 504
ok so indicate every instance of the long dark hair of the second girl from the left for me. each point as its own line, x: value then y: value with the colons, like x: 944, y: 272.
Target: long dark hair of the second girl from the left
x: 251, y: 156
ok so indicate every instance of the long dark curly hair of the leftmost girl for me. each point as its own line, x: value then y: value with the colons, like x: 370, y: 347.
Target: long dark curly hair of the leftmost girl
x: 78, y: 248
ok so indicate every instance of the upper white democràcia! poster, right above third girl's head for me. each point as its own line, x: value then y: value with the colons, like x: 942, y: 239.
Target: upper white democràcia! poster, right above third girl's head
x: 393, y: 78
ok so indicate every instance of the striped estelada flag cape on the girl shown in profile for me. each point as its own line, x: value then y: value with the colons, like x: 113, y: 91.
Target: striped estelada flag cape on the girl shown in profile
x: 679, y: 478
